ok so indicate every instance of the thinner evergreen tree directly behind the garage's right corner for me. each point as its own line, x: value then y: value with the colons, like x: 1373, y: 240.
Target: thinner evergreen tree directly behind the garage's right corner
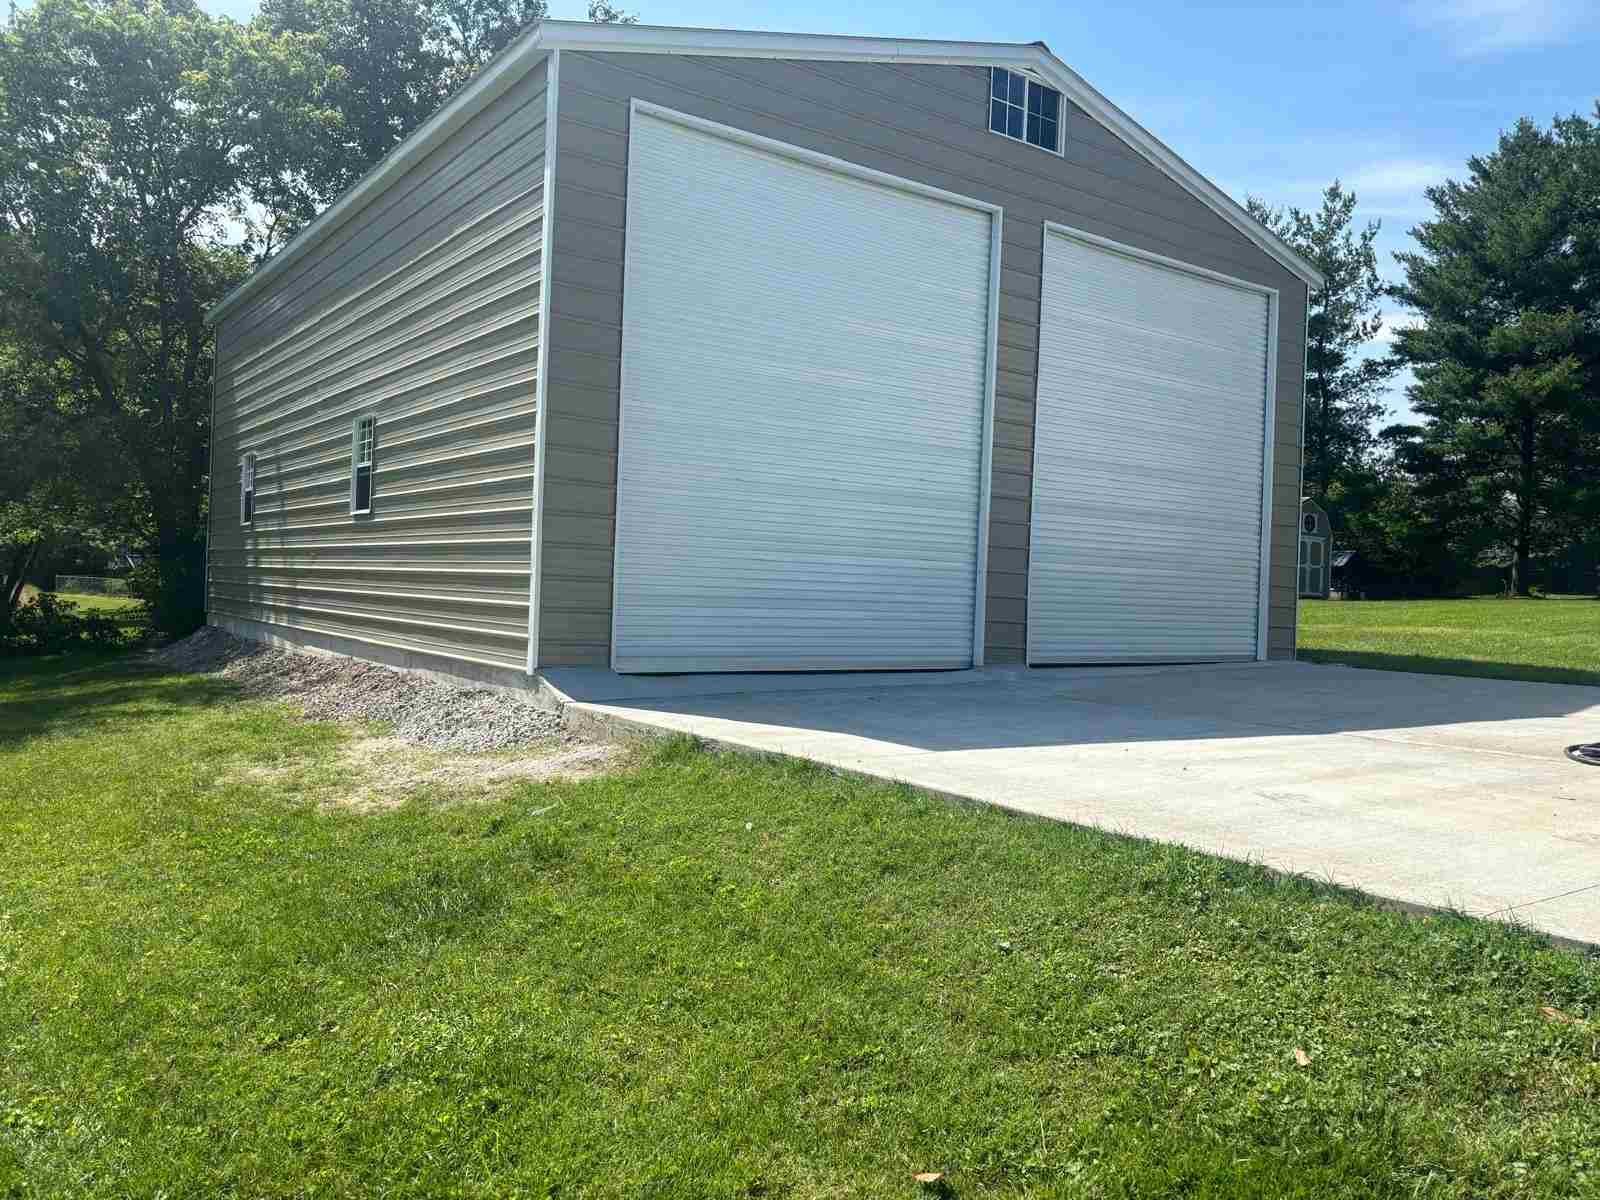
x: 1345, y: 380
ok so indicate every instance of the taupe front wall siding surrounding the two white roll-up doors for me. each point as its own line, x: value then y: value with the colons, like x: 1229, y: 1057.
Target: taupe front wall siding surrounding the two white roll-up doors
x: 919, y: 122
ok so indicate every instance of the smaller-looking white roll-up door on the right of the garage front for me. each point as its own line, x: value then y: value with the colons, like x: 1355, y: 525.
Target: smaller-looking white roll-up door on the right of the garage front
x: 1150, y: 462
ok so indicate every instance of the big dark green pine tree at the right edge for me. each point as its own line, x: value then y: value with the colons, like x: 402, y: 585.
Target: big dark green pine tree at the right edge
x: 1506, y: 281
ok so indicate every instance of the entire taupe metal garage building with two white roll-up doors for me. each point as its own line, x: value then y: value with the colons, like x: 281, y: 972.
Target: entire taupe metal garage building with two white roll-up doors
x: 713, y: 351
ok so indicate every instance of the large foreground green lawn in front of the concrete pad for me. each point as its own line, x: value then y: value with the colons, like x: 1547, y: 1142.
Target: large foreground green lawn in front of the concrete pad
x: 711, y: 977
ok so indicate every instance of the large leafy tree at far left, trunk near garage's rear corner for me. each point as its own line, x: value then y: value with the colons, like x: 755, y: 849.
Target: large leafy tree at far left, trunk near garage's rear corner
x: 134, y: 140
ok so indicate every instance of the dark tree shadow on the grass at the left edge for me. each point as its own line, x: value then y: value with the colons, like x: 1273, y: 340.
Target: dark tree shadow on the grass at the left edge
x: 92, y: 692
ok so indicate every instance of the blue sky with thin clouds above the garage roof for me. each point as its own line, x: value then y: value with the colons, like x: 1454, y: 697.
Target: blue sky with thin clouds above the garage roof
x: 1273, y: 100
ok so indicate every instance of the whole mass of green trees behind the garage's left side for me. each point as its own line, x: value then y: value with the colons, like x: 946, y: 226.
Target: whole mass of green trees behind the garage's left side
x: 150, y: 154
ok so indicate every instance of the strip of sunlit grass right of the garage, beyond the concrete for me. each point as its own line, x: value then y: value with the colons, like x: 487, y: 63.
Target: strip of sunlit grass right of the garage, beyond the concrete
x: 1550, y: 641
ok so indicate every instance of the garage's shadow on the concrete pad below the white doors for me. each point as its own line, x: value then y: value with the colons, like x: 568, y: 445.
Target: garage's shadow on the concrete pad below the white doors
x: 1014, y: 708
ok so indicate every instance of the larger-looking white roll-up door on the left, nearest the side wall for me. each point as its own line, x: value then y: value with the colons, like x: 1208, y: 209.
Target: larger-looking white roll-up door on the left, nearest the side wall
x: 802, y: 433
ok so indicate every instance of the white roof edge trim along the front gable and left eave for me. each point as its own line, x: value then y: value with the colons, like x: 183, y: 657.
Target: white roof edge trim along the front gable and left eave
x: 542, y: 39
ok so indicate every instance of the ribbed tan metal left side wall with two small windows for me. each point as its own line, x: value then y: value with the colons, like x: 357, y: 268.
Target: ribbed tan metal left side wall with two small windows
x: 422, y: 310
